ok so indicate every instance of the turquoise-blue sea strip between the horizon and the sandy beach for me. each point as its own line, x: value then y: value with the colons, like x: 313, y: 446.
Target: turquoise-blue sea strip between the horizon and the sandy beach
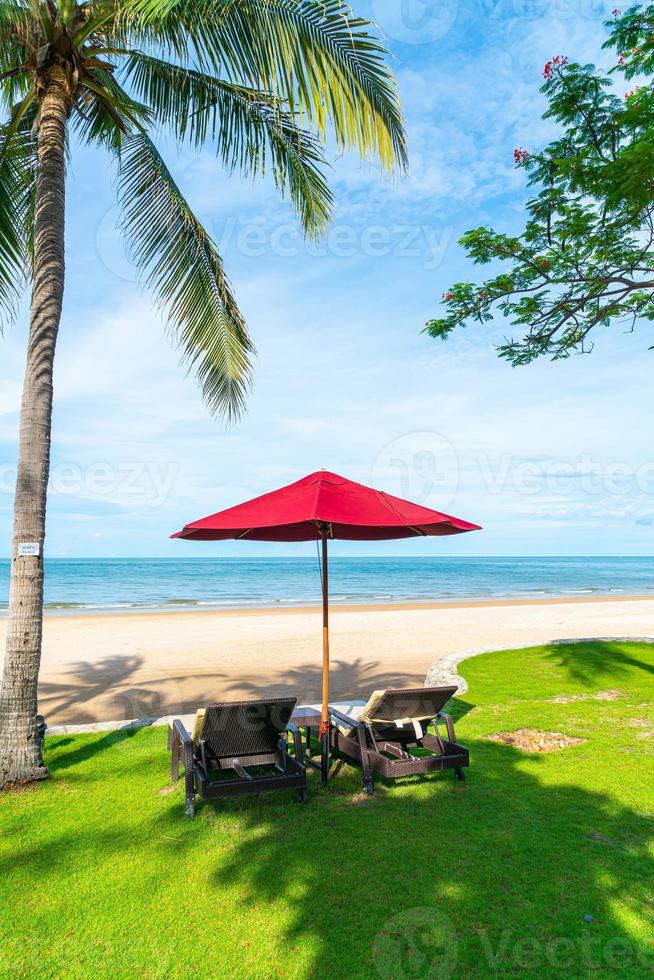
x: 124, y: 584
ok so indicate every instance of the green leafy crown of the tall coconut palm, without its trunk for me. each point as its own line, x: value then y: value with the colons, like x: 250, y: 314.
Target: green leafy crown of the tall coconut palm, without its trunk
x: 262, y: 81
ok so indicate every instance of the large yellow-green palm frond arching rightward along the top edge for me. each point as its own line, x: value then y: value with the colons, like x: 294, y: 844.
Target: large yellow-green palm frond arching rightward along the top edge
x: 315, y: 55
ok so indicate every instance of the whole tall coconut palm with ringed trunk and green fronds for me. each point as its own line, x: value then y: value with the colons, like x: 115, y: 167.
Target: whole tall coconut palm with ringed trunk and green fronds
x: 263, y: 82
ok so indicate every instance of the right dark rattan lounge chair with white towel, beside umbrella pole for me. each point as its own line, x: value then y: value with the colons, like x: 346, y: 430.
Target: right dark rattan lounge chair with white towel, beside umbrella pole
x: 393, y: 723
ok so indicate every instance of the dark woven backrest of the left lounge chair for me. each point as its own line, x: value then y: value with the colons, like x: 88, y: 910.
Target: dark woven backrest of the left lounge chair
x: 235, y: 729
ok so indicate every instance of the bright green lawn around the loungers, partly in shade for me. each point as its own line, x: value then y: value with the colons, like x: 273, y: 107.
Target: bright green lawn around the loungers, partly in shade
x: 101, y: 874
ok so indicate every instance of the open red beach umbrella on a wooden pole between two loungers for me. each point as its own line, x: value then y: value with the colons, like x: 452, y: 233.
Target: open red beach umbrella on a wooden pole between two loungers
x: 318, y: 507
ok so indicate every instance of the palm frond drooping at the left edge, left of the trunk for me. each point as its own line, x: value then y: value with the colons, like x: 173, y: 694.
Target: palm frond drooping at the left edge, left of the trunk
x: 17, y: 184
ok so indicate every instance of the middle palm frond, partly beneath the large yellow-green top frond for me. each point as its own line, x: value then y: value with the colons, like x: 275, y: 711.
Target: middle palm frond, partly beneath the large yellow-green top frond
x: 250, y: 129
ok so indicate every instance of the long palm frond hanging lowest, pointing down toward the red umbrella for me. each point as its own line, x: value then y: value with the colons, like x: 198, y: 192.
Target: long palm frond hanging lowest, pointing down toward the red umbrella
x: 179, y: 262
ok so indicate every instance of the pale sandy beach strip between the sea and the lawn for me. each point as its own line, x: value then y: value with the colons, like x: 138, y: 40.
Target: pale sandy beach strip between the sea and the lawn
x: 101, y: 668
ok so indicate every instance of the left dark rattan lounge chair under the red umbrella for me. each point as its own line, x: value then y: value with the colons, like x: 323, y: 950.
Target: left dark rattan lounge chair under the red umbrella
x: 230, y: 738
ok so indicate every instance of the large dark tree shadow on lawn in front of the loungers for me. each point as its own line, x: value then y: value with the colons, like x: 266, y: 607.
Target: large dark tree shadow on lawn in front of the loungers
x: 497, y: 874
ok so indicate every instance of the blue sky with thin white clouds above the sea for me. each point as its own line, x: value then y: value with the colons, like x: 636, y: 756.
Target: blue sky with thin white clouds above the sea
x: 551, y: 459
